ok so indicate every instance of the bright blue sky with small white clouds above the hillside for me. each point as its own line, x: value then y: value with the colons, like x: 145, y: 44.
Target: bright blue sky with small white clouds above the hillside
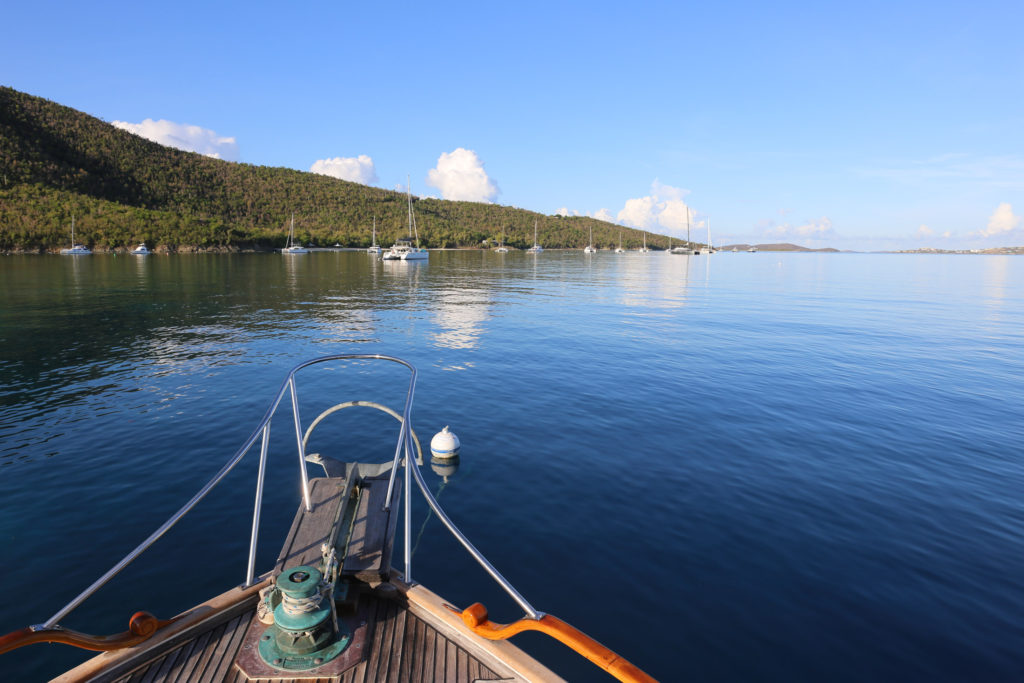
x: 863, y: 125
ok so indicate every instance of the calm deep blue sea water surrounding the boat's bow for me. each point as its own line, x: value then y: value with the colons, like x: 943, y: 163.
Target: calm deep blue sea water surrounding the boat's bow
x: 778, y: 467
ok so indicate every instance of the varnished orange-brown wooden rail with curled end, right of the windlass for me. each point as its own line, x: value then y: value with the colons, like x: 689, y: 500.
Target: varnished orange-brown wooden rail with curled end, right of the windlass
x: 476, y: 617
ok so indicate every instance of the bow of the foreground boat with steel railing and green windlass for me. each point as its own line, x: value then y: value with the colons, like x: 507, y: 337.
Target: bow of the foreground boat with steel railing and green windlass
x: 332, y: 608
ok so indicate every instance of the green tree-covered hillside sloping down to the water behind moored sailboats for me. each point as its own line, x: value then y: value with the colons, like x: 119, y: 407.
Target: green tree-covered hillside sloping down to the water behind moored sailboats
x: 57, y: 162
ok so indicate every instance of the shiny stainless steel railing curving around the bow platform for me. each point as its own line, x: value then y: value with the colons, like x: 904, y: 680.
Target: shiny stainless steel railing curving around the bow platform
x: 263, y: 433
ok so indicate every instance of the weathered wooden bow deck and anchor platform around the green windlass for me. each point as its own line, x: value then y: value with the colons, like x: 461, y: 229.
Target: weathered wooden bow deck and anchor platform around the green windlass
x: 406, y: 633
